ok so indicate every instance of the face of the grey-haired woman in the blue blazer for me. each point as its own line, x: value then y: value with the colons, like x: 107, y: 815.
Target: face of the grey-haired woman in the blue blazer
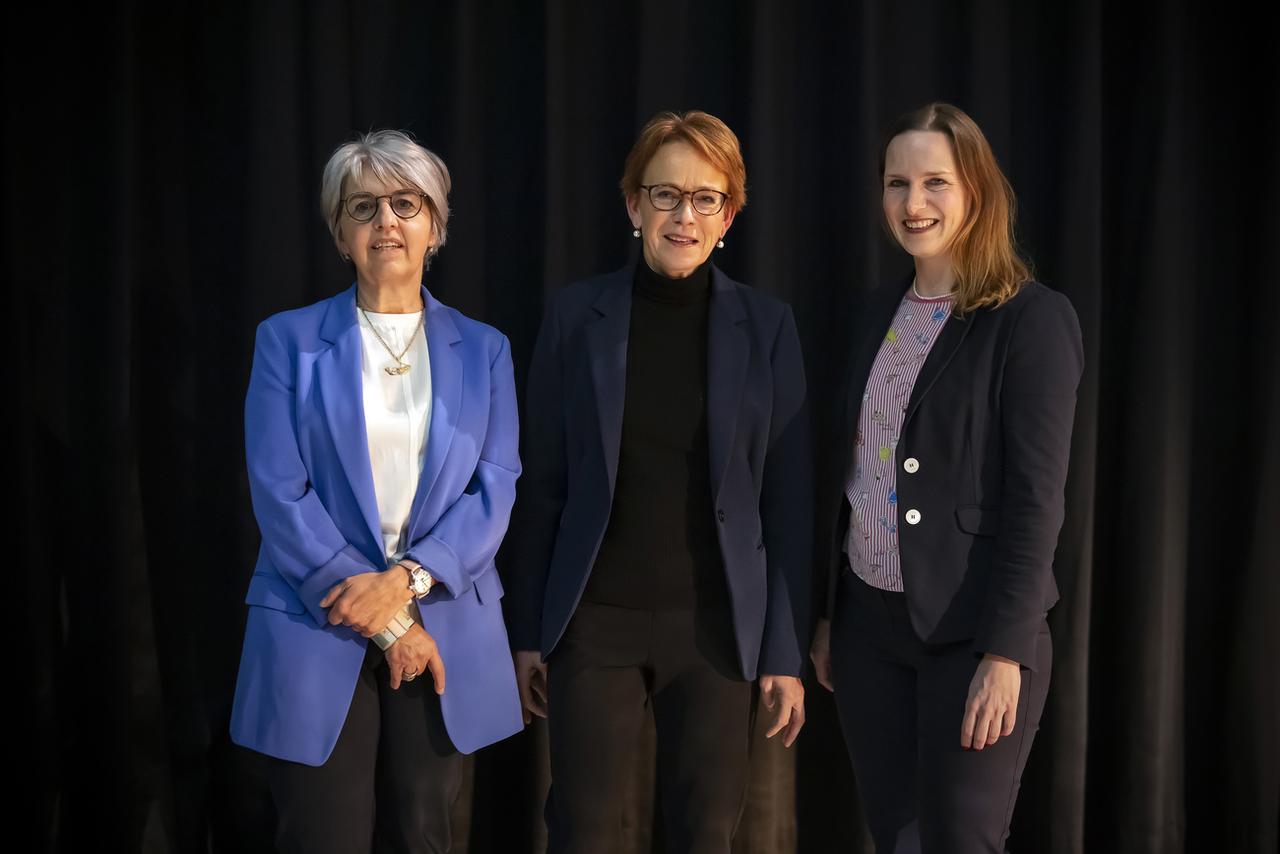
x: 387, y: 249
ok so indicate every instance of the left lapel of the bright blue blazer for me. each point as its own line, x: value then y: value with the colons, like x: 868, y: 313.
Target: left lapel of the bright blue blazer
x: 339, y: 373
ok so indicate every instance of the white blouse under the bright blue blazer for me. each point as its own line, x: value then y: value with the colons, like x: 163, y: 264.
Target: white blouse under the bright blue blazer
x: 397, y: 418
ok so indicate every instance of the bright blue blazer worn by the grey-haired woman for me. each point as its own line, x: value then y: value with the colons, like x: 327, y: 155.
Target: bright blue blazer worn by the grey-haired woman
x: 313, y: 494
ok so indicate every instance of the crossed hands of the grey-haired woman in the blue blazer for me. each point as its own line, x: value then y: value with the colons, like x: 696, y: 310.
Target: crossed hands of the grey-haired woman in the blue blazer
x: 368, y: 602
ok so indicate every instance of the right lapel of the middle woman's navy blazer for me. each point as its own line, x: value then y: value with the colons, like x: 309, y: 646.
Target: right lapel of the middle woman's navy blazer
x: 728, y: 357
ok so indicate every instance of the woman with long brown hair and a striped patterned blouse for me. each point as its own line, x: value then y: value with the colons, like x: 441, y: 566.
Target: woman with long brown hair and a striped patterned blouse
x: 954, y: 454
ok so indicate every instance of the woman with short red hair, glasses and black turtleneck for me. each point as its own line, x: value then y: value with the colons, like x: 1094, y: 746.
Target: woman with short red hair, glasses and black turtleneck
x: 664, y: 524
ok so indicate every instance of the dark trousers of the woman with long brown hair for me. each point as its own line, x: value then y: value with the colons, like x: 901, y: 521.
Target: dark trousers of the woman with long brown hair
x: 902, y: 706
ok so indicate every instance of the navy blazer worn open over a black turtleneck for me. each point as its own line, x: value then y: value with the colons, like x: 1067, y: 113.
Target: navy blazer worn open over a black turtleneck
x: 761, y: 469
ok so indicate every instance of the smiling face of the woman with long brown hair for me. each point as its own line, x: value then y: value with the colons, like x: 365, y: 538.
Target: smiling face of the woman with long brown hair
x: 925, y: 202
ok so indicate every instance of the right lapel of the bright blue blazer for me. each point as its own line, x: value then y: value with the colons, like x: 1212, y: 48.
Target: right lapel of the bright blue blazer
x: 447, y: 380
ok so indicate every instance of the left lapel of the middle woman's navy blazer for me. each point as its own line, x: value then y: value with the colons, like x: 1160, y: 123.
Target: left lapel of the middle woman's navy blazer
x: 607, y: 351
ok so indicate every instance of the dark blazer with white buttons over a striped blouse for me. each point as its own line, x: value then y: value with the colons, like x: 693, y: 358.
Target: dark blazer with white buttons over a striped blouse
x: 990, y: 426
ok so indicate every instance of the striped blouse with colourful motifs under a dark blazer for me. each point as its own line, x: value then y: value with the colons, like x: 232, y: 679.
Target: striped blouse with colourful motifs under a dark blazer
x: 872, y: 486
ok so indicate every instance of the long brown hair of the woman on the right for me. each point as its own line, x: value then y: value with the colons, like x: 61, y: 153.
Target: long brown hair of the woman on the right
x: 985, y: 255
